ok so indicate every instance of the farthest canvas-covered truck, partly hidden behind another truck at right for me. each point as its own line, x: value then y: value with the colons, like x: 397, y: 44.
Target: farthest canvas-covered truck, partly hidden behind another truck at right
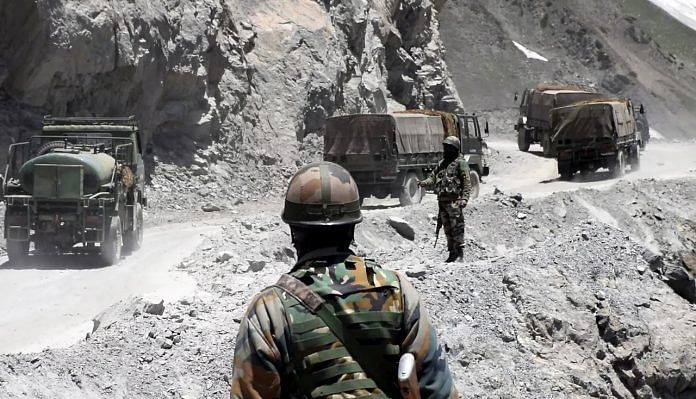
x: 534, y: 124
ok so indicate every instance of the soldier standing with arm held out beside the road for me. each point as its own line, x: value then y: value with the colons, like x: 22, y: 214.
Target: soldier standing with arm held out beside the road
x: 452, y: 185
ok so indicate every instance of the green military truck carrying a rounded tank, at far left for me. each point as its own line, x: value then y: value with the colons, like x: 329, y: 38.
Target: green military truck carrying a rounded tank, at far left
x: 77, y: 187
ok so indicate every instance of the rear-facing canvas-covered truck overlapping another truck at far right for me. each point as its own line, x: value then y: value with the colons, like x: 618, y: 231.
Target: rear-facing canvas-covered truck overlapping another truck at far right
x: 596, y: 134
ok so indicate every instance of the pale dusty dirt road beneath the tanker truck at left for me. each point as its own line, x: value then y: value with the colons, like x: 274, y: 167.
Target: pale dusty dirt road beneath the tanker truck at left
x: 52, y: 302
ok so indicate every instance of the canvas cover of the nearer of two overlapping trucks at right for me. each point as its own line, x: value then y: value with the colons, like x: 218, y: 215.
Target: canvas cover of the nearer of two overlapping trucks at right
x: 592, y: 120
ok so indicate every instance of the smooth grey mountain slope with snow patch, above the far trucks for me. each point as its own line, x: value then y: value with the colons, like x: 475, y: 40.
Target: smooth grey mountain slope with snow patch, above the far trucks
x: 624, y: 47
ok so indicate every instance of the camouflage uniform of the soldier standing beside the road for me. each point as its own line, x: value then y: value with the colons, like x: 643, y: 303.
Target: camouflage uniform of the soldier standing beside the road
x: 451, y: 183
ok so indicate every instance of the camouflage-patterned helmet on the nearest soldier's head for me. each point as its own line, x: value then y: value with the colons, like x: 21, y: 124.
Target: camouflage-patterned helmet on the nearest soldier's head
x: 322, y: 194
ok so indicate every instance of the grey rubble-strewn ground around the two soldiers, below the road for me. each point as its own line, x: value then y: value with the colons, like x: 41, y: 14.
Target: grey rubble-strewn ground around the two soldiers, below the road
x: 565, y: 296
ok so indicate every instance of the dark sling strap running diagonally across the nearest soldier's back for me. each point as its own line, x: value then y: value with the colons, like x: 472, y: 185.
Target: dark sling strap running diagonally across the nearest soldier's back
x: 318, y: 307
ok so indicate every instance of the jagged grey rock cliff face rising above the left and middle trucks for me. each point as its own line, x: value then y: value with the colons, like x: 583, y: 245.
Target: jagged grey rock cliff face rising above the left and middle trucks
x: 249, y: 77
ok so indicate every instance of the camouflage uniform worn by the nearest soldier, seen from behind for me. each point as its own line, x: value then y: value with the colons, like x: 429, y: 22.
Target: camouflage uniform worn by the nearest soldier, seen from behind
x: 281, y: 345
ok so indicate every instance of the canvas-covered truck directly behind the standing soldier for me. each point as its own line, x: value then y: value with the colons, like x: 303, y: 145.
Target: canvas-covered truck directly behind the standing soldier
x: 388, y: 153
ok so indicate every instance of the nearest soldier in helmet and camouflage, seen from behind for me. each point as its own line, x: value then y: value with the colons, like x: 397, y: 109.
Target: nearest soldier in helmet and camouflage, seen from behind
x: 337, y: 324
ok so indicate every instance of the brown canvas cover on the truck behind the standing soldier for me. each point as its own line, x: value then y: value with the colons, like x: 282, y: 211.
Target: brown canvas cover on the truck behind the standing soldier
x: 369, y: 133
